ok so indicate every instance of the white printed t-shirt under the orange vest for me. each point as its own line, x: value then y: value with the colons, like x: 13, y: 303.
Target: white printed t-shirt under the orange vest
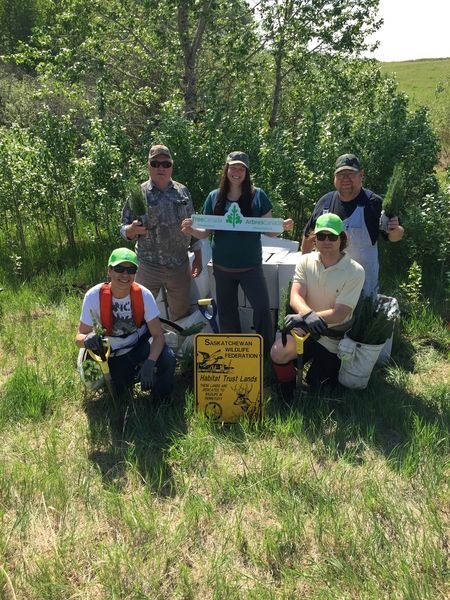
x: 125, y: 334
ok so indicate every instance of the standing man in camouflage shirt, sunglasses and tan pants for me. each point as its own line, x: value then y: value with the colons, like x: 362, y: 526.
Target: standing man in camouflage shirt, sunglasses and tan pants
x: 161, y: 247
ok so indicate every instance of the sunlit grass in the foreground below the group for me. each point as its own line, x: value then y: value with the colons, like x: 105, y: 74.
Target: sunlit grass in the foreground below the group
x: 332, y: 497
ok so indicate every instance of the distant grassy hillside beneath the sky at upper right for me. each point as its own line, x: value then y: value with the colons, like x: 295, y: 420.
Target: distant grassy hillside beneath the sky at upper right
x: 420, y: 78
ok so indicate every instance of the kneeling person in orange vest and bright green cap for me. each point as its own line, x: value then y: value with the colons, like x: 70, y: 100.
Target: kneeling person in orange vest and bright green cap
x: 129, y: 316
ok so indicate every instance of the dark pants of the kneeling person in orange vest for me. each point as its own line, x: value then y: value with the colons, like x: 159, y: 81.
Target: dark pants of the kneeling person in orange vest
x: 124, y: 368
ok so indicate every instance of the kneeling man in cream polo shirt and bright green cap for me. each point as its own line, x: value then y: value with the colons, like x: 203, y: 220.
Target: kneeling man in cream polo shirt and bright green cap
x: 325, y: 291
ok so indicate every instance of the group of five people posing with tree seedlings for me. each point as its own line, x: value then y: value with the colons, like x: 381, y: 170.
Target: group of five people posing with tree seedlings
x: 344, y: 228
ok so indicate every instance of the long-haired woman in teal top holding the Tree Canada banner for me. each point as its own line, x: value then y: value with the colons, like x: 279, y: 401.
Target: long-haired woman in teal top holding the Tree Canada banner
x: 237, y: 255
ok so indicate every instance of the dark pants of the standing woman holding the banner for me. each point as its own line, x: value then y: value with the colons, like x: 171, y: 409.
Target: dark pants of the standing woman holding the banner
x: 255, y: 288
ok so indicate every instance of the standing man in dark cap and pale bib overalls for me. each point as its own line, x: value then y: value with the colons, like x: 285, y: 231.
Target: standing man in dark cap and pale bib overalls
x: 360, y: 209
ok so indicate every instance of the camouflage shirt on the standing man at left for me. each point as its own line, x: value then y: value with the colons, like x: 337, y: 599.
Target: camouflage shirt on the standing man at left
x: 164, y: 244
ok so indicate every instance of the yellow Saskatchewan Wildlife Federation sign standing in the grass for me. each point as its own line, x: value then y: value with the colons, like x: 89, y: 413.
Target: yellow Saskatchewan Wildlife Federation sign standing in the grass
x: 228, y: 376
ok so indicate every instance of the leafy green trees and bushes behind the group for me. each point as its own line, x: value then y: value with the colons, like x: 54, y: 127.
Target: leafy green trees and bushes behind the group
x: 86, y: 87
